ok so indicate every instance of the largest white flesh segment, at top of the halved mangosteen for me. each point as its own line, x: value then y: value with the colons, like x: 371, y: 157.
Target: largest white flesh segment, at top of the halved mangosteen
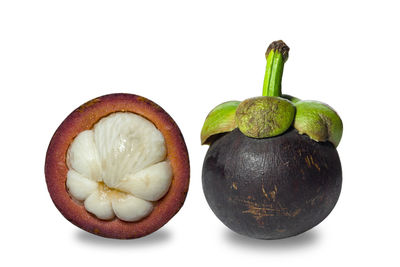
x: 126, y: 143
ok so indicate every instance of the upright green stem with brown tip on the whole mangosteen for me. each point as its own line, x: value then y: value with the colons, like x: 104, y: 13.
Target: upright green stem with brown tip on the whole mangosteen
x: 277, y: 54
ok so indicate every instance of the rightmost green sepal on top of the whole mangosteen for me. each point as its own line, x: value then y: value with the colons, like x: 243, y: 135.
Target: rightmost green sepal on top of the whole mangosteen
x: 319, y: 121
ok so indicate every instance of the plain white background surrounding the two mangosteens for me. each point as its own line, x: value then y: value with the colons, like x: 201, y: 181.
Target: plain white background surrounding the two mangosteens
x: 189, y: 56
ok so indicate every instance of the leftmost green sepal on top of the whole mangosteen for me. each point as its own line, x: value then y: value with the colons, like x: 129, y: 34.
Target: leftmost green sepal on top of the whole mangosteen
x: 220, y: 120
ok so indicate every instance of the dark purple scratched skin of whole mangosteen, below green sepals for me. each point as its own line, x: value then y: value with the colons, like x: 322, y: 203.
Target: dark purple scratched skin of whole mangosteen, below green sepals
x: 271, y: 188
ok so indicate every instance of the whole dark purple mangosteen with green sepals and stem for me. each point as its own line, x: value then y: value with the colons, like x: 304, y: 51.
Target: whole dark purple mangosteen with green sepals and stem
x: 272, y: 169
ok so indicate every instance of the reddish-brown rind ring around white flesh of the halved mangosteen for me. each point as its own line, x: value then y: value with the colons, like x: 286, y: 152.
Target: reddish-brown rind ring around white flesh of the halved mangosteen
x: 83, y: 118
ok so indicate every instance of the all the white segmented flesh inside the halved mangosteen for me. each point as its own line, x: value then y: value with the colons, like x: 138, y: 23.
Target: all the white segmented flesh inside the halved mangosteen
x: 119, y: 167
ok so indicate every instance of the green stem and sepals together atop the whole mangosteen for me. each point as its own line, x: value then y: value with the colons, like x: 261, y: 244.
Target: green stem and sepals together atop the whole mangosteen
x: 273, y: 114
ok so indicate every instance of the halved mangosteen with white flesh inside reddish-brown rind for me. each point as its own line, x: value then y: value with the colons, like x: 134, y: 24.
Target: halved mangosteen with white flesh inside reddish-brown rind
x: 118, y: 167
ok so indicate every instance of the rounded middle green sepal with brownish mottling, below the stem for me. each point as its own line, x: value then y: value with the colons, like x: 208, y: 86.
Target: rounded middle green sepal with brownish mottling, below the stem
x: 265, y: 116
